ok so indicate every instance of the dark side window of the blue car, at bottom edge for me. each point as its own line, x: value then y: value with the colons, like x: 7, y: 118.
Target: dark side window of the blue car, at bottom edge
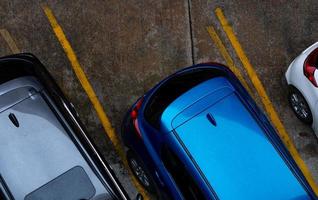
x: 185, y: 183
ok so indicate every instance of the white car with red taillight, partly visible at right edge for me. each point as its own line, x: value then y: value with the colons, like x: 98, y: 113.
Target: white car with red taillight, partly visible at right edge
x: 302, y: 78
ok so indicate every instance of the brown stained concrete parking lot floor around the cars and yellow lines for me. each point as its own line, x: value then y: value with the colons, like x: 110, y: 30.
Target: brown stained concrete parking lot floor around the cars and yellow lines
x: 125, y: 47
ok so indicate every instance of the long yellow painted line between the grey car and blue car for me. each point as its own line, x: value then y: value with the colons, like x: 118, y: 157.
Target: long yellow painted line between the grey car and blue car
x: 90, y: 92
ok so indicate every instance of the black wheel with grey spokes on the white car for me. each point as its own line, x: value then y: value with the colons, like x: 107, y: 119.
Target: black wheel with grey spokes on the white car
x: 300, y: 106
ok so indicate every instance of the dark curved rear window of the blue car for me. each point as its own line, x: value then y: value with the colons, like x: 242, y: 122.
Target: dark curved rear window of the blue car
x: 172, y: 89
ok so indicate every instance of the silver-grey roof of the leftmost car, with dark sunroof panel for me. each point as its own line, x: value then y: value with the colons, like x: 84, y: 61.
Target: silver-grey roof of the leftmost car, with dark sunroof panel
x: 37, y: 151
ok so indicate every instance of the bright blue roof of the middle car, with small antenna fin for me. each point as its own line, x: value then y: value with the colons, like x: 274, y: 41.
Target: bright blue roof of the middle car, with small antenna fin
x: 228, y: 146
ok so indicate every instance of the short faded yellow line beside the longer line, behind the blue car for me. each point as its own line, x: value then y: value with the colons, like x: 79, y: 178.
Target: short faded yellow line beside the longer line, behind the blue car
x: 230, y: 63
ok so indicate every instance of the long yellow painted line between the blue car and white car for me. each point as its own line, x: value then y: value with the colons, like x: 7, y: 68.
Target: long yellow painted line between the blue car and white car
x: 264, y: 97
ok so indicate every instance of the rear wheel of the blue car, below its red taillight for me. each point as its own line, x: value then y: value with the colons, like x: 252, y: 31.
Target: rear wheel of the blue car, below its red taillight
x: 140, y: 171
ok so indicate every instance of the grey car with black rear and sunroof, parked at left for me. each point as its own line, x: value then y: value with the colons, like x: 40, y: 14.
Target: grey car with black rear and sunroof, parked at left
x: 45, y: 152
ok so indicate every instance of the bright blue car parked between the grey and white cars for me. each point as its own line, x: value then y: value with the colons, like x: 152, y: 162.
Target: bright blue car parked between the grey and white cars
x: 199, y: 135
